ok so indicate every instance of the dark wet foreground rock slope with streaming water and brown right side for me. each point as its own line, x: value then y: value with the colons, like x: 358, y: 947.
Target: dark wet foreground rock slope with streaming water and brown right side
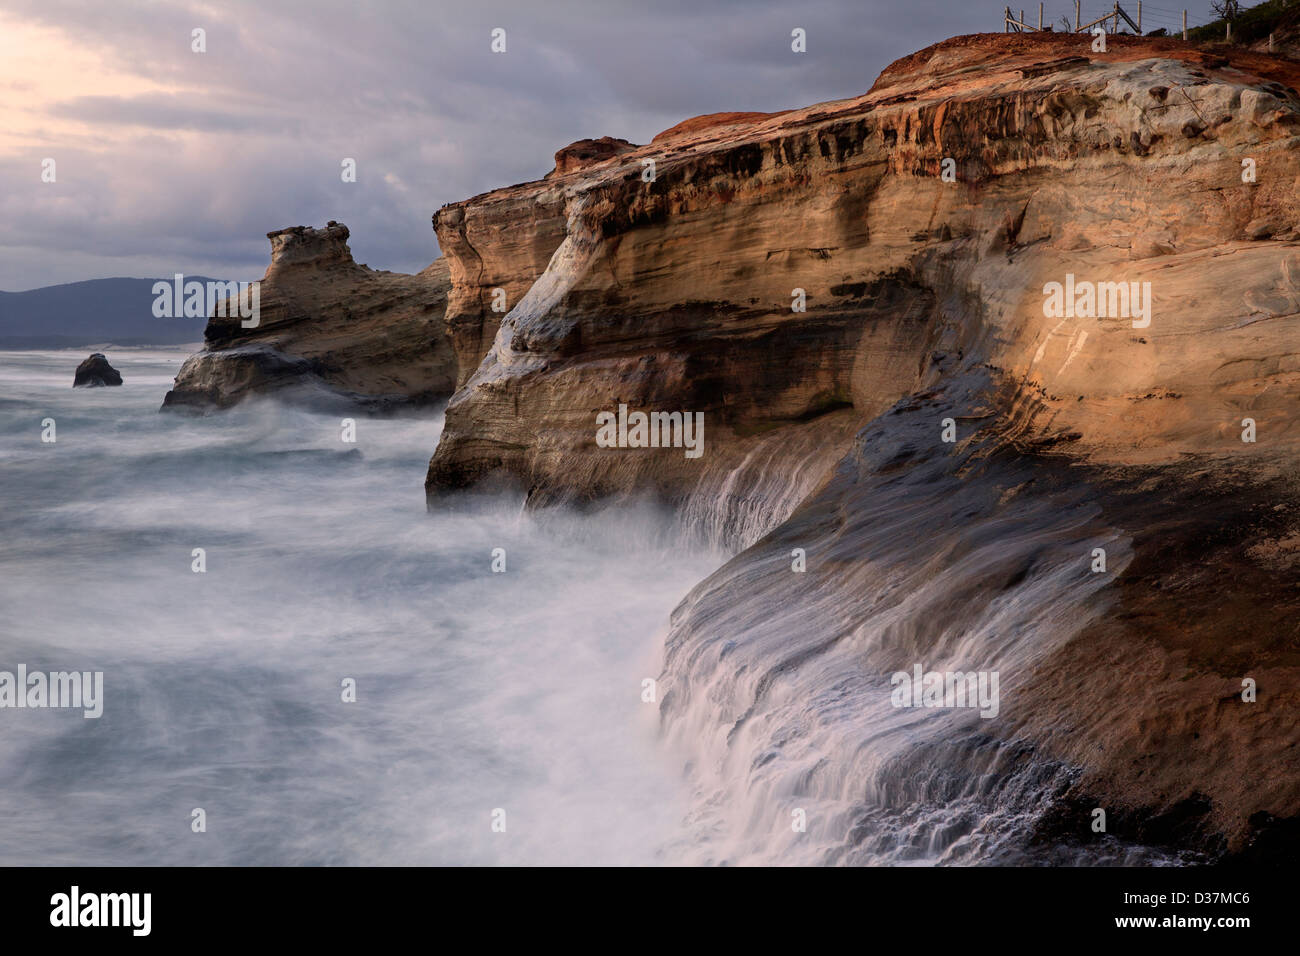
x: 977, y: 557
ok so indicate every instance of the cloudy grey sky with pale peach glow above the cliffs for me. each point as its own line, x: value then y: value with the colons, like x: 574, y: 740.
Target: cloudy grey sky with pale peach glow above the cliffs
x: 168, y: 161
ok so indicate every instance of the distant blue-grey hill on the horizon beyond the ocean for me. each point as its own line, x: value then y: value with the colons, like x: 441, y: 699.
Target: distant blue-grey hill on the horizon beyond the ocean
x: 101, y: 312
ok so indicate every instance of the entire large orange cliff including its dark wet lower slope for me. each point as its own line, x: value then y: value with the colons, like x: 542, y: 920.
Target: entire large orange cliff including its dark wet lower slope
x: 943, y: 230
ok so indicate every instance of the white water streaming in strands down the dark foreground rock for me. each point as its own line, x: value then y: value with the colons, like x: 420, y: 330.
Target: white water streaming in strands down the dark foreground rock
x: 778, y: 684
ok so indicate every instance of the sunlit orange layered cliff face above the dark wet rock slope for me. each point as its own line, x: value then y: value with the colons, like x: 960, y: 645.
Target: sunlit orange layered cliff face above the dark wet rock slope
x: 675, y: 285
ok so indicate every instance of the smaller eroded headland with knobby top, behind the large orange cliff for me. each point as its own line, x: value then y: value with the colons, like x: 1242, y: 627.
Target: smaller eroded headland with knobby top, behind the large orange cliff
x: 330, y: 331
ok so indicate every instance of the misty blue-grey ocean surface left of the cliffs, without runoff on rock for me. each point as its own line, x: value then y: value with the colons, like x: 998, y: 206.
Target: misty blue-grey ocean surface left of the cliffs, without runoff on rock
x: 476, y: 691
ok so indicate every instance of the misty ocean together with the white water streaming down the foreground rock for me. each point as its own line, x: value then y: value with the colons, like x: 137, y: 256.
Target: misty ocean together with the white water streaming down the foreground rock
x: 518, y: 698
